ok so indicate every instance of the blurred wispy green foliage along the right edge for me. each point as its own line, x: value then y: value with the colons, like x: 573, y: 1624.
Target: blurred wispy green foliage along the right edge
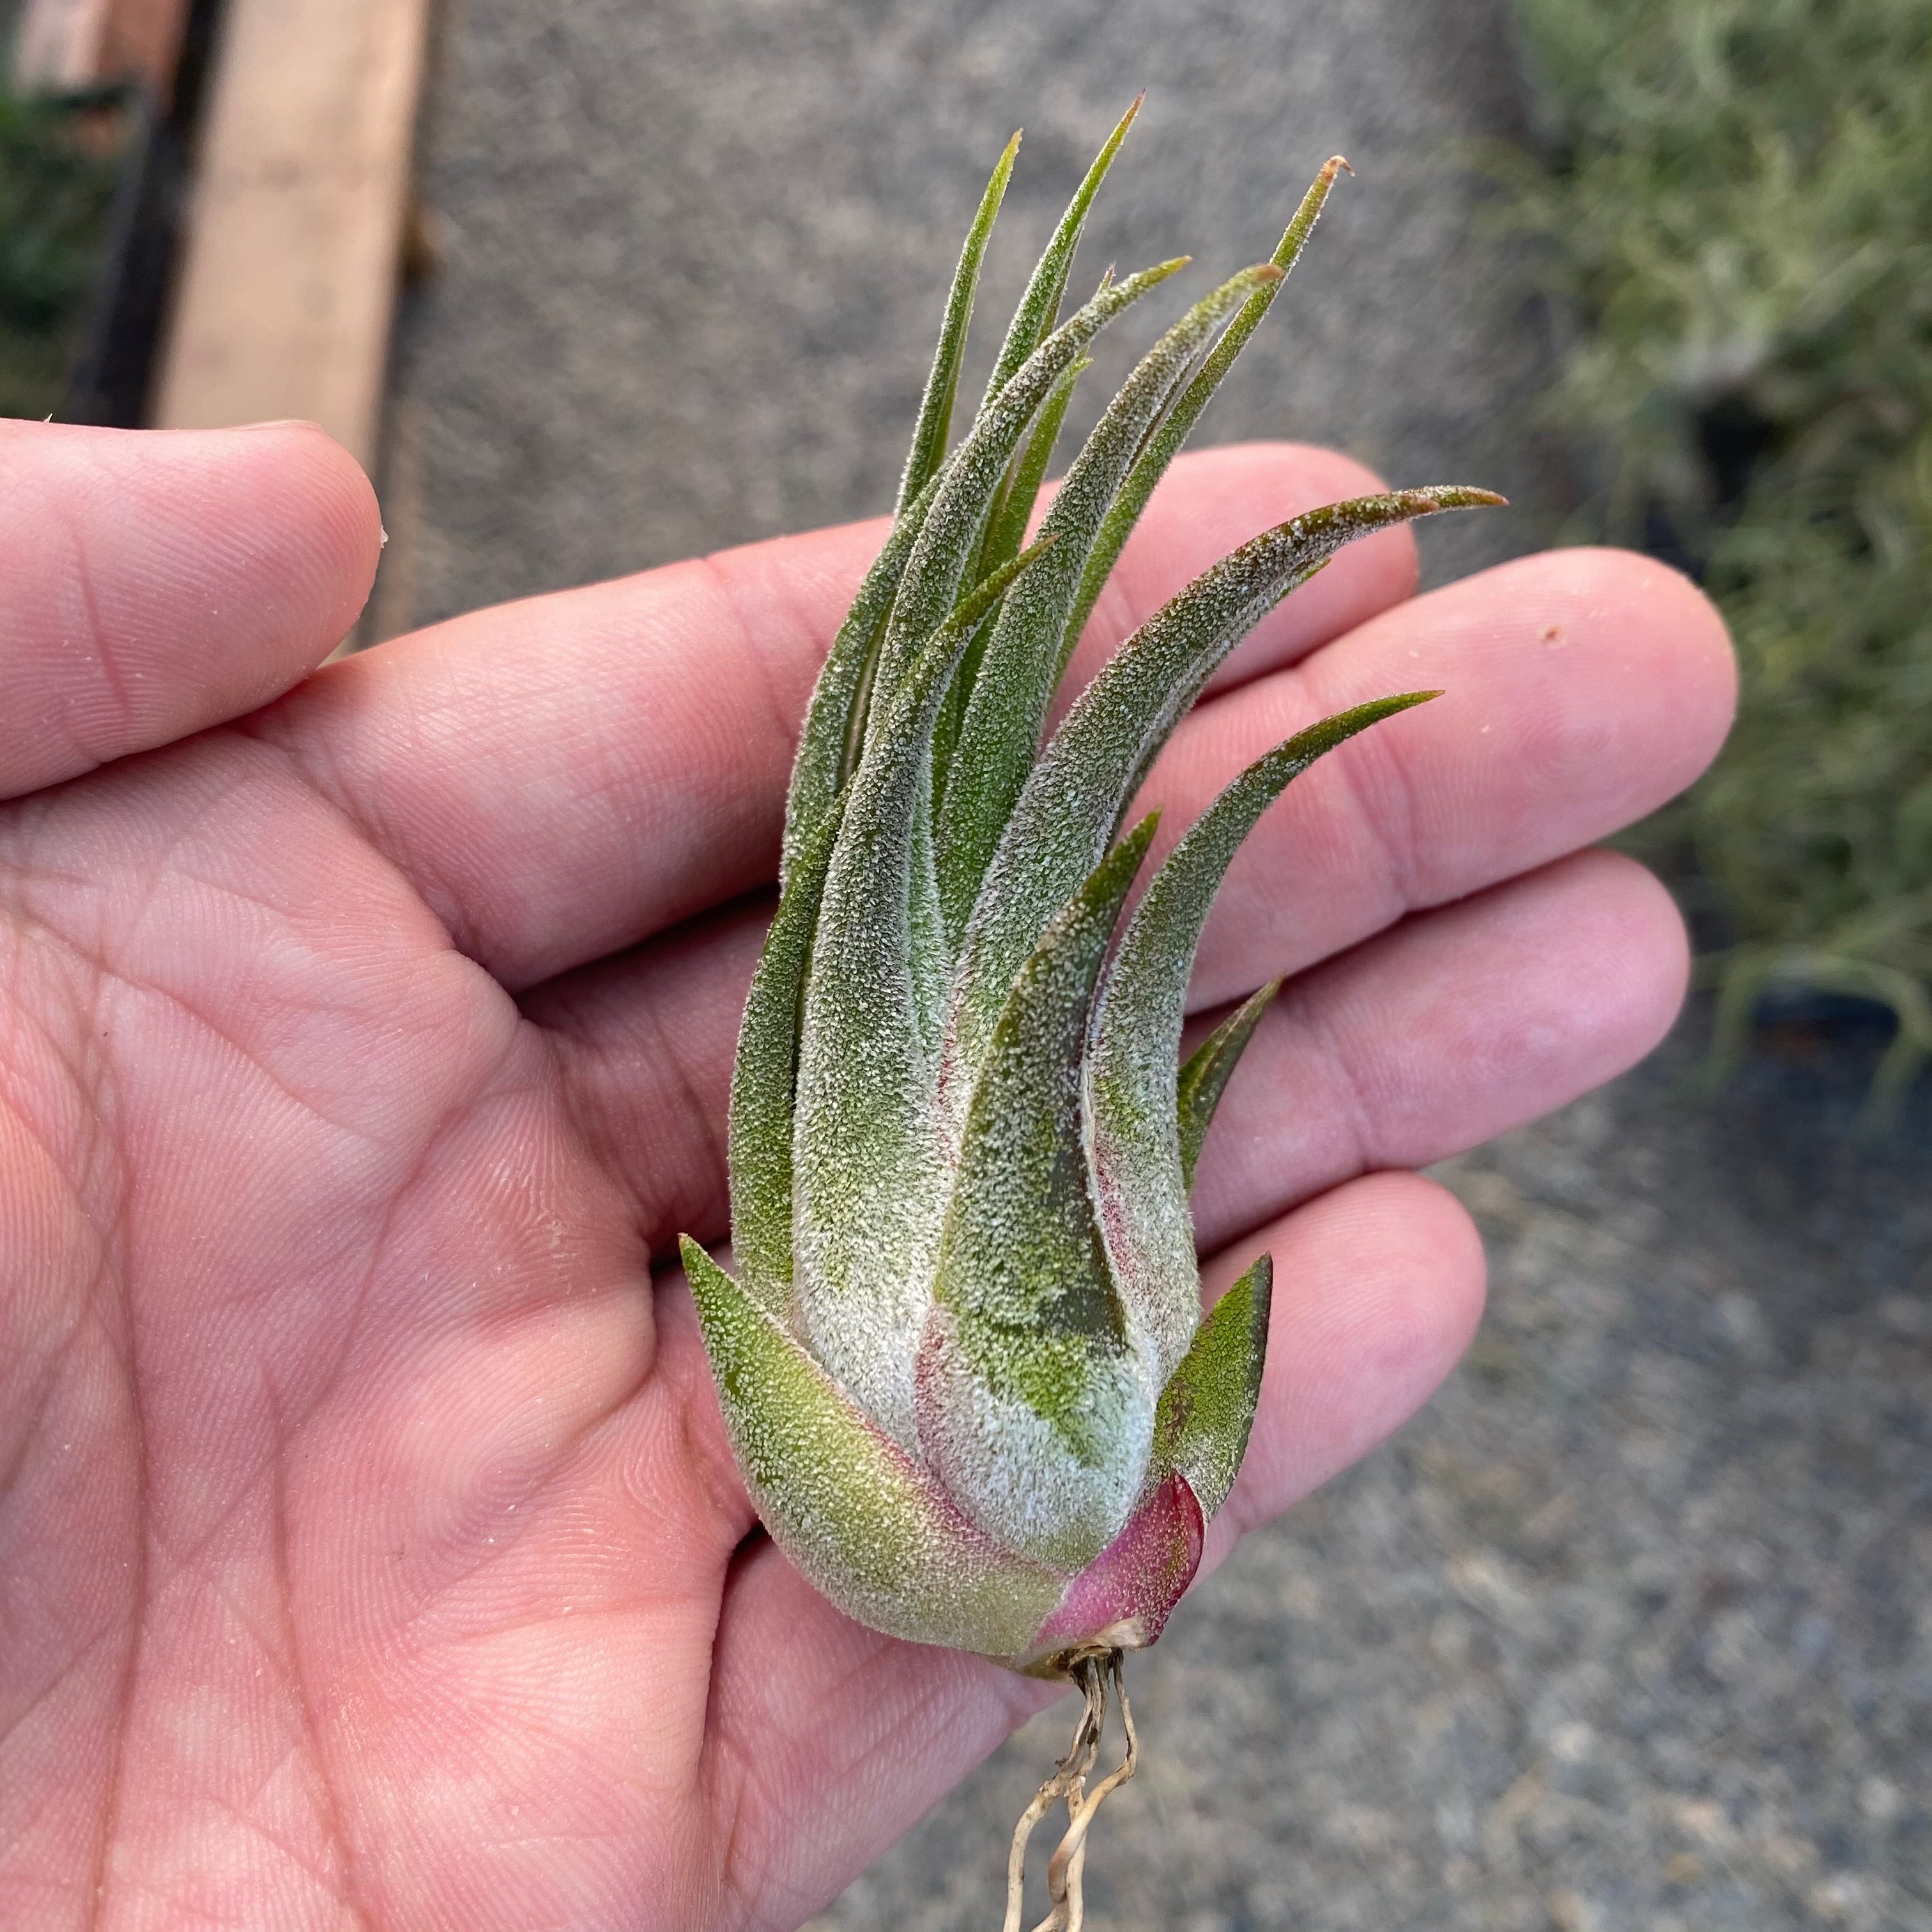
x: 1736, y: 215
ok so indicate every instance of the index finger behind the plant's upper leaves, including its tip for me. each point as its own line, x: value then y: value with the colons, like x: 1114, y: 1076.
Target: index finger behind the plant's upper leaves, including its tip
x: 573, y: 774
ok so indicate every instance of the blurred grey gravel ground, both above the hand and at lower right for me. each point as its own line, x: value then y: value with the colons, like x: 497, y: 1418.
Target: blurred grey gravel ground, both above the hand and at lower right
x: 1632, y: 1628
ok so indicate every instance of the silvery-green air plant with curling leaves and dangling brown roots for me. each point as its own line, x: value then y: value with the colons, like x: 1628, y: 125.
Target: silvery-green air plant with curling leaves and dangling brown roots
x: 963, y: 1361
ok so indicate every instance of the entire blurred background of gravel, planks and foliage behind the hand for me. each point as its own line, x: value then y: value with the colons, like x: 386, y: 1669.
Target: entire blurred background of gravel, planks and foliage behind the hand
x: 1634, y: 1628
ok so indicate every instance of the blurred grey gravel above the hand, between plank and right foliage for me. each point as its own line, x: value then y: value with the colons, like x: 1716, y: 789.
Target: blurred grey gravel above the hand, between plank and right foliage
x: 695, y: 256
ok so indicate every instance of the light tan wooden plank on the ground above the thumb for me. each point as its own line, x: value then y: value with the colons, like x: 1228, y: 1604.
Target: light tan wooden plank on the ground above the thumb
x: 297, y: 227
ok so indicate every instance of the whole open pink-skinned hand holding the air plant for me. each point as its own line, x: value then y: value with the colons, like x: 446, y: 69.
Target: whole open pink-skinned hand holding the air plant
x: 370, y: 1548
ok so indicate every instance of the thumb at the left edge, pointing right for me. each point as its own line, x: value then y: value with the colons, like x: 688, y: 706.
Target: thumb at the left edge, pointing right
x: 154, y: 584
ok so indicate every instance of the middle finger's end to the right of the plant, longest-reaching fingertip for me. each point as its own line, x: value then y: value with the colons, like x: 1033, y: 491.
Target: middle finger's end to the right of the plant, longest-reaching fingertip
x: 1581, y: 691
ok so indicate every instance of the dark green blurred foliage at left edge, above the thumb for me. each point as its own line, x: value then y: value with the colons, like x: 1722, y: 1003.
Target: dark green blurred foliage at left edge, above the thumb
x: 55, y: 198
